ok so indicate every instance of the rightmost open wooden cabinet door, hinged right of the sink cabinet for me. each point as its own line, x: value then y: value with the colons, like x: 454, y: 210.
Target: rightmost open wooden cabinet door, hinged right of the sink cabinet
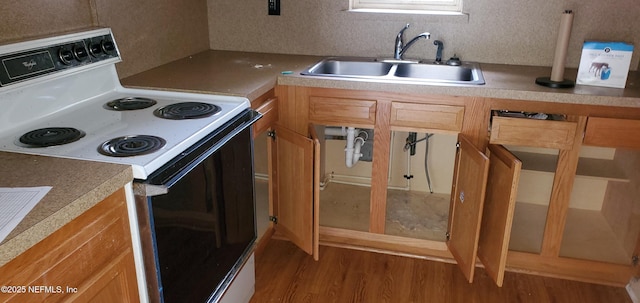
x: 500, y: 203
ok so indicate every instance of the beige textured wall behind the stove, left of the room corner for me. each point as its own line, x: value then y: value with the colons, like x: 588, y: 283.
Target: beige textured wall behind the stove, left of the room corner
x: 148, y: 32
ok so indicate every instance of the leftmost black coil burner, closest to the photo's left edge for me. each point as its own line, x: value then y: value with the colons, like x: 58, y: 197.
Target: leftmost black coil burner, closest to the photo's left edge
x: 51, y: 136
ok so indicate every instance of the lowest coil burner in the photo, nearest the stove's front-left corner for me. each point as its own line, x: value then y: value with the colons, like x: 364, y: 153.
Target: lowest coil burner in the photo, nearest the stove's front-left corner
x: 128, y: 146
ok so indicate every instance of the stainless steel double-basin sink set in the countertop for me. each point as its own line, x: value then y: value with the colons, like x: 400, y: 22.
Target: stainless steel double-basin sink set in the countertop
x: 397, y: 71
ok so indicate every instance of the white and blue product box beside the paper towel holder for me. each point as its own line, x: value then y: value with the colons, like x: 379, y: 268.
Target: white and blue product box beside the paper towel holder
x: 604, y: 63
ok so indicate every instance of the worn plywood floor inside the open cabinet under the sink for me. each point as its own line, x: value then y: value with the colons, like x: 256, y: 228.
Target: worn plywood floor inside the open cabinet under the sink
x: 420, y: 215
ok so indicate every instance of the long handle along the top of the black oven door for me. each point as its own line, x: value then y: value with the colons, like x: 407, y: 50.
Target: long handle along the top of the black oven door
x: 165, y: 177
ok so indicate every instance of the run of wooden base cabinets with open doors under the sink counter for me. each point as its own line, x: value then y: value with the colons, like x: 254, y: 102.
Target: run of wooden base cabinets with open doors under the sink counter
x: 521, y: 194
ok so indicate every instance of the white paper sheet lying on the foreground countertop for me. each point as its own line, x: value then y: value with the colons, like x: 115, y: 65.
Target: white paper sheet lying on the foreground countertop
x: 16, y: 203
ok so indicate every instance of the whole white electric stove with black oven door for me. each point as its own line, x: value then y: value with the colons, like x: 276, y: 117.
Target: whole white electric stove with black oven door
x: 191, y: 156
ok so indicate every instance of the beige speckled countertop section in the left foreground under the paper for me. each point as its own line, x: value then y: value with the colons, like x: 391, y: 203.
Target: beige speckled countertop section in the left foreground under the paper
x: 76, y: 187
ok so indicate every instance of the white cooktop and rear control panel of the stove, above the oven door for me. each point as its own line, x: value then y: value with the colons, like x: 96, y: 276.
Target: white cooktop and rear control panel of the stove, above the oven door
x: 41, y: 90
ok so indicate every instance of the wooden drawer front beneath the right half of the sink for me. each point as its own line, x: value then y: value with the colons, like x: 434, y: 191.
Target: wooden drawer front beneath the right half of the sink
x: 409, y: 116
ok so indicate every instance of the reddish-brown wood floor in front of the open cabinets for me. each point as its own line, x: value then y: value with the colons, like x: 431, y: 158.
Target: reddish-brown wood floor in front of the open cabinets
x: 286, y: 274
